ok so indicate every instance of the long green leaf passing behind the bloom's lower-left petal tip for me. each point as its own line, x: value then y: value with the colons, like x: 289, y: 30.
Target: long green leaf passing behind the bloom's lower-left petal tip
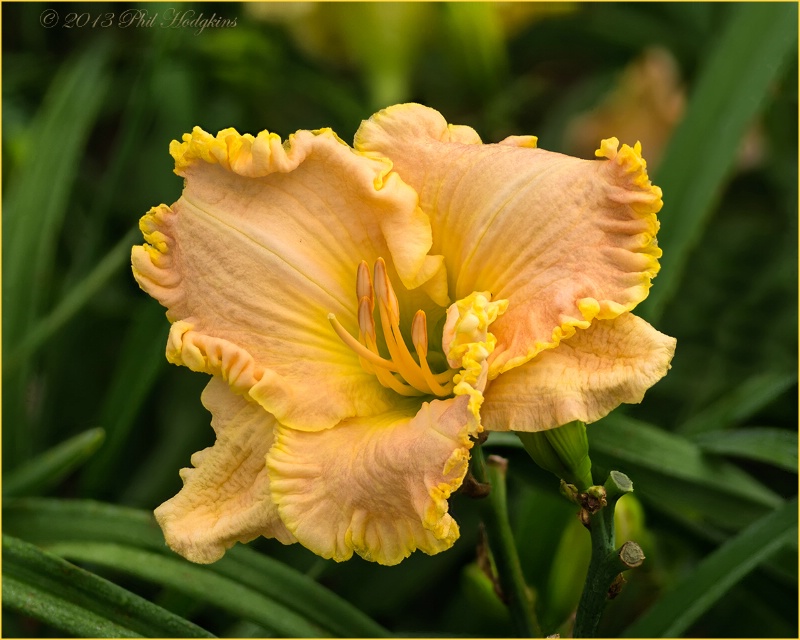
x: 49, y: 522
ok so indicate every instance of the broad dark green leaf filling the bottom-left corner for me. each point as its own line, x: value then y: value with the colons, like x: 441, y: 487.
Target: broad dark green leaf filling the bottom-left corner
x: 43, y: 586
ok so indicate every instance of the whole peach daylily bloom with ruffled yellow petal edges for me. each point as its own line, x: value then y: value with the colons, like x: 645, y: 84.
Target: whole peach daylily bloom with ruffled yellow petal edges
x: 365, y: 311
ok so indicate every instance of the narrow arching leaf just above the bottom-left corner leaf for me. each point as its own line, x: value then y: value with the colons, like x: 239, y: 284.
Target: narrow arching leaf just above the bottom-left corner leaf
x: 196, y: 581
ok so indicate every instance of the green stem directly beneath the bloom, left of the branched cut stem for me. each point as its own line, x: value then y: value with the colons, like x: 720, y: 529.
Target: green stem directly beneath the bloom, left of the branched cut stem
x: 494, y: 511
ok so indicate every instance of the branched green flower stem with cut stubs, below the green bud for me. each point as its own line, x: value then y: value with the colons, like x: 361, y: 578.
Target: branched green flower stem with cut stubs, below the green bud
x: 607, y: 562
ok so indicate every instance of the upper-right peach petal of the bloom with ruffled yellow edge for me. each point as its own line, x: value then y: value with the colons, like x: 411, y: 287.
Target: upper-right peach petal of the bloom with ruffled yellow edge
x: 563, y: 240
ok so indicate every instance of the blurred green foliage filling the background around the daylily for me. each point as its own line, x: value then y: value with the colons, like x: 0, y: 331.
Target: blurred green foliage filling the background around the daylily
x: 88, y: 113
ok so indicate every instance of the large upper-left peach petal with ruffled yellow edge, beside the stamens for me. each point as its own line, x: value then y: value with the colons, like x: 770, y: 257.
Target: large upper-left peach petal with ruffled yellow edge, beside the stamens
x: 263, y: 244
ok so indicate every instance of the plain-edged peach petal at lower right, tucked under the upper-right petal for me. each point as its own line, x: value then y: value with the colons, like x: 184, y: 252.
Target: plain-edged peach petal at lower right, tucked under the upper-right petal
x: 583, y: 378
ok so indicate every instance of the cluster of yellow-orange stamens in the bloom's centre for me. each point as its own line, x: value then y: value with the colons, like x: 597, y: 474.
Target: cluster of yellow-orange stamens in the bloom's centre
x: 401, y: 372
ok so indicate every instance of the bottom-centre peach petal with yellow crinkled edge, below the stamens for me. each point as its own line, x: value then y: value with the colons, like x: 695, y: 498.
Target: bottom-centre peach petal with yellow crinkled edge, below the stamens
x: 377, y: 486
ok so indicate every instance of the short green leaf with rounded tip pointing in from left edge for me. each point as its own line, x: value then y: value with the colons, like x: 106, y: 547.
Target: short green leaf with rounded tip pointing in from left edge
x: 46, y: 470
